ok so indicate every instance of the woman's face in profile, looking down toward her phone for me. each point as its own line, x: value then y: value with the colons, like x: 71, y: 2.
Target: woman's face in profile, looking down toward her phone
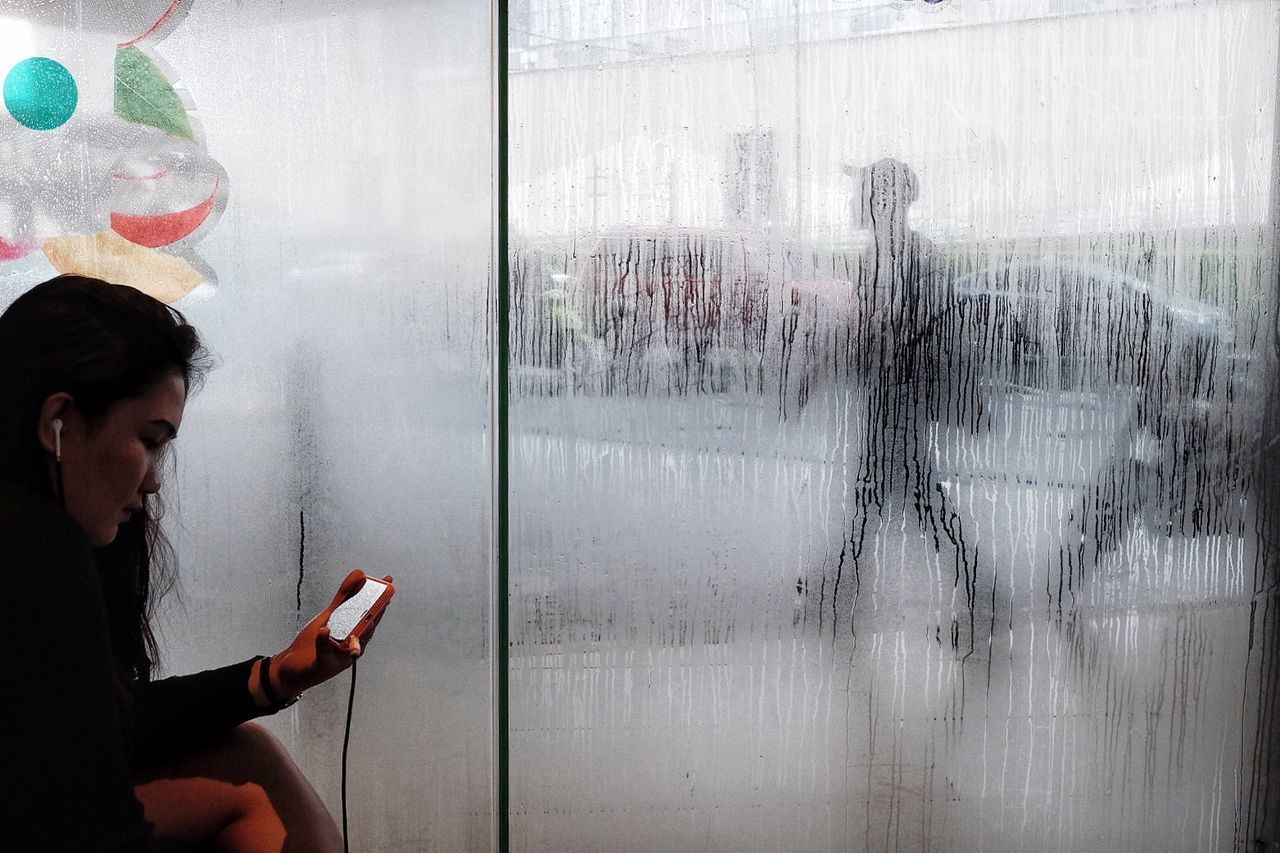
x: 112, y: 463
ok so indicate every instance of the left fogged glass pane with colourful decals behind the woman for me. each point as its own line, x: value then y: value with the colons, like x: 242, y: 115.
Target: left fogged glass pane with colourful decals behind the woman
x: 339, y: 186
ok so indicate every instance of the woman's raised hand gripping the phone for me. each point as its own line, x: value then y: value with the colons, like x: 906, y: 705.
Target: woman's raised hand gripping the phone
x: 313, y: 659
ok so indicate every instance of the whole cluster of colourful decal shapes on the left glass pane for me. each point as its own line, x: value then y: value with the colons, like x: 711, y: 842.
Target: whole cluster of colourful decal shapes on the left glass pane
x: 106, y: 171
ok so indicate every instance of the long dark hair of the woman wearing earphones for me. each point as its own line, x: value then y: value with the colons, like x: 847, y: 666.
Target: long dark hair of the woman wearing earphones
x: 102, y: 344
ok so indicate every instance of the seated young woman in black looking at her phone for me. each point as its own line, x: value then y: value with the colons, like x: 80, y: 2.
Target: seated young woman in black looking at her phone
x: 98, y: 756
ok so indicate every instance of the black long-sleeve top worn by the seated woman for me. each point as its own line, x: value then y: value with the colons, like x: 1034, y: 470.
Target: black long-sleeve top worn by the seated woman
x: 74, y: 729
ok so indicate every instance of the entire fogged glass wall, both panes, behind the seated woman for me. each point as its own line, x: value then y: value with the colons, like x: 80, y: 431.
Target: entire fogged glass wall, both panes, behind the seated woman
x: 894, y: 398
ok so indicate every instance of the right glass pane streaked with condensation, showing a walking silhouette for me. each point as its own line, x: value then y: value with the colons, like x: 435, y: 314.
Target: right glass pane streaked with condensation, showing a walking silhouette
x: 890, y: 430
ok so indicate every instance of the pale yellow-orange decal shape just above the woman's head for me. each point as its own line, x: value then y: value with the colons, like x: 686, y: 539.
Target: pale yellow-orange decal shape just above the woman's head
x: 112, y: 258
